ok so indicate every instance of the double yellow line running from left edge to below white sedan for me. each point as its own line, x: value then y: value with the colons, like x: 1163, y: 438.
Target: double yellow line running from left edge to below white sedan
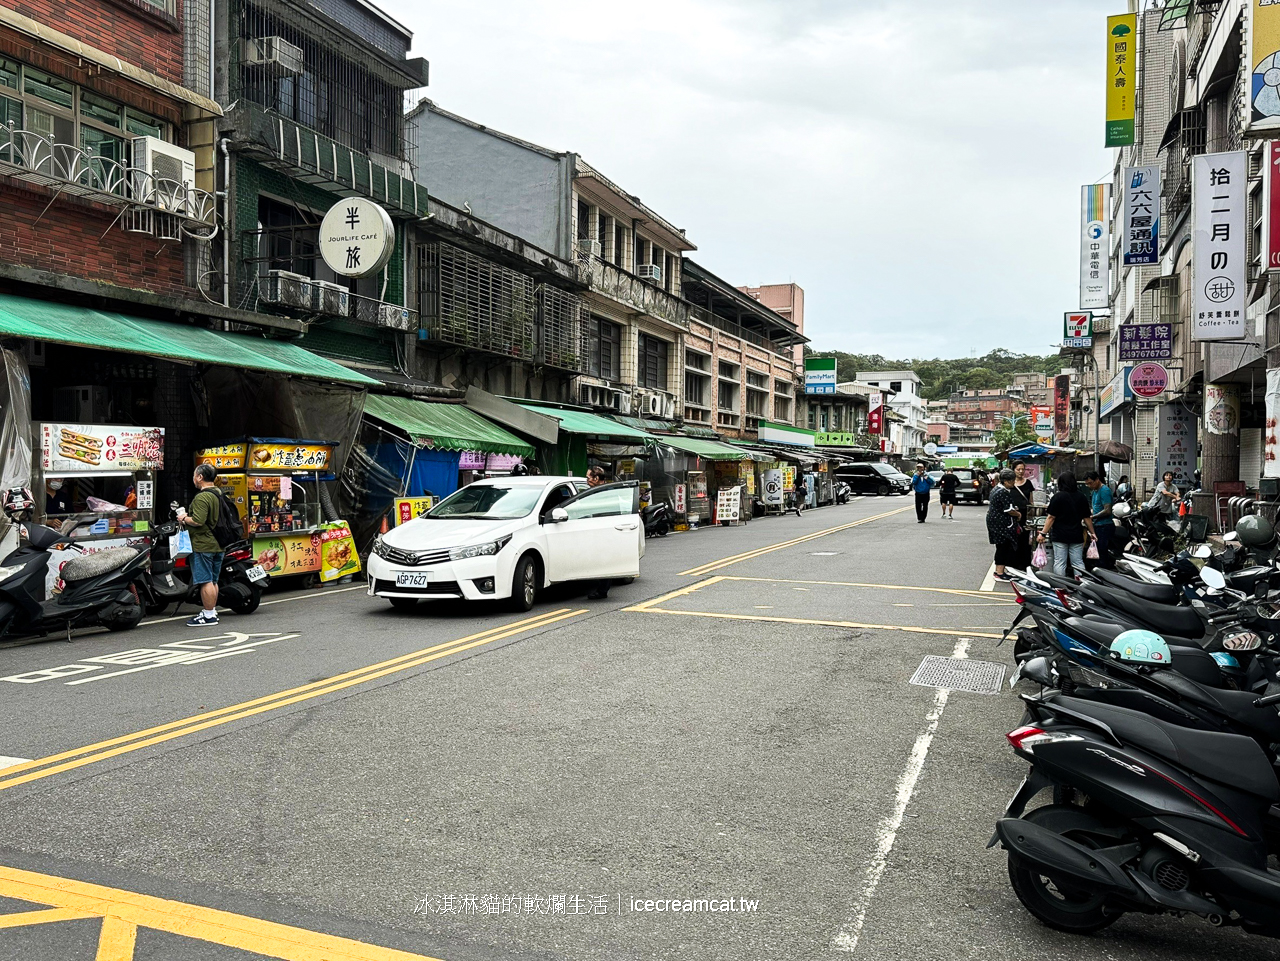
x: 103, y: 751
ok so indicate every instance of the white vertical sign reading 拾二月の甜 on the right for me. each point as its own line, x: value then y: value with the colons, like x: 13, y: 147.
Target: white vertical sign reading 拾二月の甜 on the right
x: 1219, y: 223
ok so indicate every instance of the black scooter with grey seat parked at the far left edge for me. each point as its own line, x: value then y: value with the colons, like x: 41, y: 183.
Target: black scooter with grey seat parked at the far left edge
x: 100, y: 589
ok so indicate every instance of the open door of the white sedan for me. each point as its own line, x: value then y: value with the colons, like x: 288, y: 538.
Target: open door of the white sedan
x: 601, y: 538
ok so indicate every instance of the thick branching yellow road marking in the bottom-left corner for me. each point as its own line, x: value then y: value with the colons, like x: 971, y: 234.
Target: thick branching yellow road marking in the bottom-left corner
x: 125, y: 912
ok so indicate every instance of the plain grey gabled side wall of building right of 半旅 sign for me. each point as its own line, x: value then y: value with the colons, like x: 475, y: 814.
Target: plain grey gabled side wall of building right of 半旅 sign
x: 516, y: 189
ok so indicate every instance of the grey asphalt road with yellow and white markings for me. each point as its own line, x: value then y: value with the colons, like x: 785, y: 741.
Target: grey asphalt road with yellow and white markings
x: 330, y: 779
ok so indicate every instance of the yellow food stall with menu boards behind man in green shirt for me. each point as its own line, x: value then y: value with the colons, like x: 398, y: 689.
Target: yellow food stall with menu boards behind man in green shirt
x: 276, y: 484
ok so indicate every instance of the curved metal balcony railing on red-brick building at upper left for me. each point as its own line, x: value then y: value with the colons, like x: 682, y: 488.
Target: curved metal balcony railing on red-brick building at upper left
x: 148, y: 204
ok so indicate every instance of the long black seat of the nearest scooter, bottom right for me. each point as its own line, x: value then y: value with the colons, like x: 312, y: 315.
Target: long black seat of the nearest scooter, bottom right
x: 1233, y: 761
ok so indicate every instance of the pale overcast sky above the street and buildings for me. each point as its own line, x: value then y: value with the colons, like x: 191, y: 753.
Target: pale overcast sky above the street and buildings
x: 913, y: 164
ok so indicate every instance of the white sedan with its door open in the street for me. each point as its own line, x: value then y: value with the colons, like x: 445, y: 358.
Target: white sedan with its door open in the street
x: 508, y: 538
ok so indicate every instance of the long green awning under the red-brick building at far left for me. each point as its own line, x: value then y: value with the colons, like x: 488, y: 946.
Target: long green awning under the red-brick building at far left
x: 66, y: 324
